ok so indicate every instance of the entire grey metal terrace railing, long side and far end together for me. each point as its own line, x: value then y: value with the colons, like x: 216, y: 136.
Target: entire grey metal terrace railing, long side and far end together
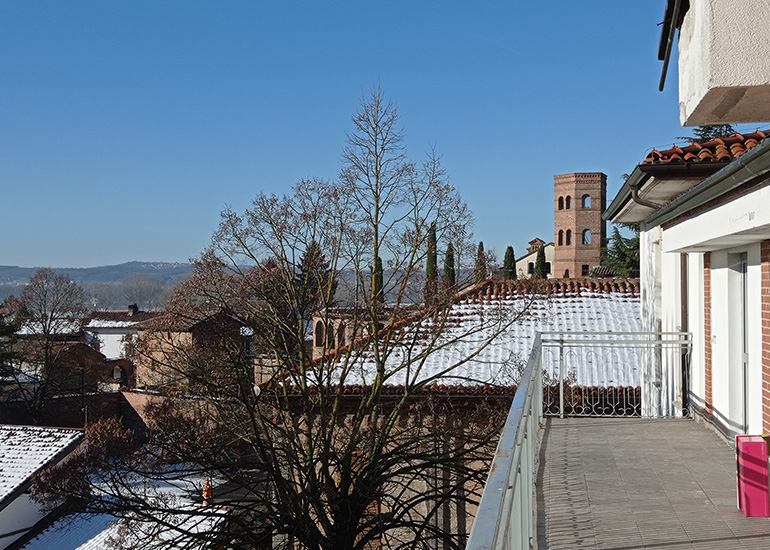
x: 581, y: 374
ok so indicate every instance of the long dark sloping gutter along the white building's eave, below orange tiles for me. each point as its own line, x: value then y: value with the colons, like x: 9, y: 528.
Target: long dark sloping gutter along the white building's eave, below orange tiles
x: 752, y: 167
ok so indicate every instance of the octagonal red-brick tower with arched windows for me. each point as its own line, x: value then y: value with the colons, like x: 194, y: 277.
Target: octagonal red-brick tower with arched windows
x: 579, y: 232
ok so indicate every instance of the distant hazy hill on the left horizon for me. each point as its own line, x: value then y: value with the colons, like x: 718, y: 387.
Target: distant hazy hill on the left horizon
x: 163, y: 271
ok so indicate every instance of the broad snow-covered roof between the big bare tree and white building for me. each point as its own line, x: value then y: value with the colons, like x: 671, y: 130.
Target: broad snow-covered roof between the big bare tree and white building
x: 489, y: 335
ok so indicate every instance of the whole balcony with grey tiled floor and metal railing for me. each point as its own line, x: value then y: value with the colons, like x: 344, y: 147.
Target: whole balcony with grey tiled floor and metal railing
x: 648, y: 480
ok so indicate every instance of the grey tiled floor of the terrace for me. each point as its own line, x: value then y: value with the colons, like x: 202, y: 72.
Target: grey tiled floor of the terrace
x: 625, y: 484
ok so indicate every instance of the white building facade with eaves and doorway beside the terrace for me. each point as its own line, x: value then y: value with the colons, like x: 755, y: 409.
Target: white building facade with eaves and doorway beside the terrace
x: 705, y: 269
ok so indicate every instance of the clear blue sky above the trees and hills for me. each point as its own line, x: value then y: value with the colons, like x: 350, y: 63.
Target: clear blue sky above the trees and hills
x: 126, y: 127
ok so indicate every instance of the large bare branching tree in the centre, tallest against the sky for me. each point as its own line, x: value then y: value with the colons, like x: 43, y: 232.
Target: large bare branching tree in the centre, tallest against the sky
x: 358, y: 447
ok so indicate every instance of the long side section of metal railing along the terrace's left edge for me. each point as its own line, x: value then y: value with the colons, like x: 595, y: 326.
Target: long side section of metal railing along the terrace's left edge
x: 505, y: 517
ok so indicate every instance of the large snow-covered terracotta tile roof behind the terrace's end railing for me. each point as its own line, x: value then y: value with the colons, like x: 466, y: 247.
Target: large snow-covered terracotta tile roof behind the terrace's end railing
x: 559, y: 304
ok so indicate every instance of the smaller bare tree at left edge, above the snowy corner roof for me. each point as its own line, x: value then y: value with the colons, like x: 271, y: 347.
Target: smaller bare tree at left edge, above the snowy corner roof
x: 50, y: 313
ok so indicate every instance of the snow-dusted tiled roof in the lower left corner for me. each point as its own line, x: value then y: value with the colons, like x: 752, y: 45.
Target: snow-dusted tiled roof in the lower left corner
x: 25, y: 450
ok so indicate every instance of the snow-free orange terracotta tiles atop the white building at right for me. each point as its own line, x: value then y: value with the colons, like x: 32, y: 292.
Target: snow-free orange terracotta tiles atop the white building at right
x: 715, y: 150
